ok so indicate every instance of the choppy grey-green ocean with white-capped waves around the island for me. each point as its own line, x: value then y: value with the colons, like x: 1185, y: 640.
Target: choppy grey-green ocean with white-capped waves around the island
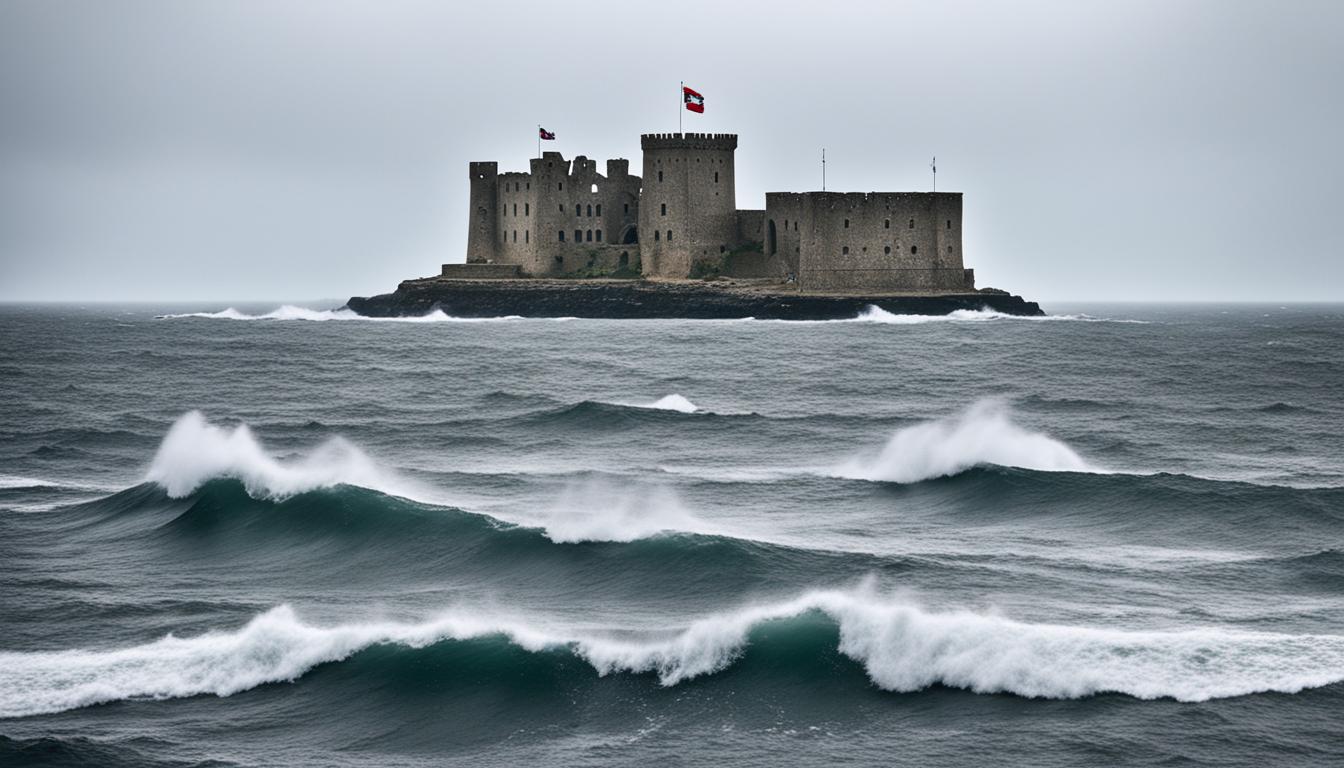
x: 290, y: 536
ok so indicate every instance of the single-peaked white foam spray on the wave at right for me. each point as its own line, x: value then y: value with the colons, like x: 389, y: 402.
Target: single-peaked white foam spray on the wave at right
x: 982, y: 435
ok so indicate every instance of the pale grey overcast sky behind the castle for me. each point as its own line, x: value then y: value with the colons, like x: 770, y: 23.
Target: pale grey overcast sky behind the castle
x: 291, y: 151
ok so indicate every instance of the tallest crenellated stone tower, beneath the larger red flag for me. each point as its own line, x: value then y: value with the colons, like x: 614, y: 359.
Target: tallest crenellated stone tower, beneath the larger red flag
x: 689, y: 202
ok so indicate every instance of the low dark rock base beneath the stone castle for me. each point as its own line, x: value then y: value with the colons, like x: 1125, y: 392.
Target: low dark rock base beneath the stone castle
x: 630, y: 299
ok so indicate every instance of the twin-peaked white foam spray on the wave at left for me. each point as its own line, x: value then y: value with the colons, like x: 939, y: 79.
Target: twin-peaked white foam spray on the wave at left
x: 196, y: 451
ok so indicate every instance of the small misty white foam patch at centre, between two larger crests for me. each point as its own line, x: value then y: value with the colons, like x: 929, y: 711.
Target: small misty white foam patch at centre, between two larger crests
x: 600, y: 510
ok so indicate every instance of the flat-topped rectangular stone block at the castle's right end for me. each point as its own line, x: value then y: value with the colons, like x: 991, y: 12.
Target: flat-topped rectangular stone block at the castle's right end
x: 880, y: 241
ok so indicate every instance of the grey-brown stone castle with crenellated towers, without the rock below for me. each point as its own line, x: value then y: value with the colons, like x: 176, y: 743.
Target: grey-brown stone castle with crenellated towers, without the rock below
x: 681, y: 220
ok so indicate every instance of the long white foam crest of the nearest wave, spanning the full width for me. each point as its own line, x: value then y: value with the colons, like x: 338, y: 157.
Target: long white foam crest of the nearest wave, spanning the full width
x: 902, y: 646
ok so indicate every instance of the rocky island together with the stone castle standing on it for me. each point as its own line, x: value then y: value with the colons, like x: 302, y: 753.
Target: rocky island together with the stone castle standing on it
x: 564, y: 240
